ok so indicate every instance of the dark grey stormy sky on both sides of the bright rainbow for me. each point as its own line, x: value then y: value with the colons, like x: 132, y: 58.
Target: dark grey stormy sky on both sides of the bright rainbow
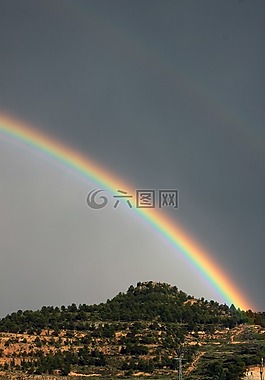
x: 167, y: 94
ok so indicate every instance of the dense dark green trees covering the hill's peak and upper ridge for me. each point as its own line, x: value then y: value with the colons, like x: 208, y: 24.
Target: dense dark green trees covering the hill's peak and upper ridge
x: 148, y: 301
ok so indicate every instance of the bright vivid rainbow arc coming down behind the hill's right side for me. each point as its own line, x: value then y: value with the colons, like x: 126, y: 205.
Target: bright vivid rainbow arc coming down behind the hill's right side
x: 173, y: 233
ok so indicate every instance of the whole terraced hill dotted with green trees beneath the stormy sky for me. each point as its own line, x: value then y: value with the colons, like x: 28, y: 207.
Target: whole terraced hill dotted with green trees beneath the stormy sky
x: 139, y: 332
